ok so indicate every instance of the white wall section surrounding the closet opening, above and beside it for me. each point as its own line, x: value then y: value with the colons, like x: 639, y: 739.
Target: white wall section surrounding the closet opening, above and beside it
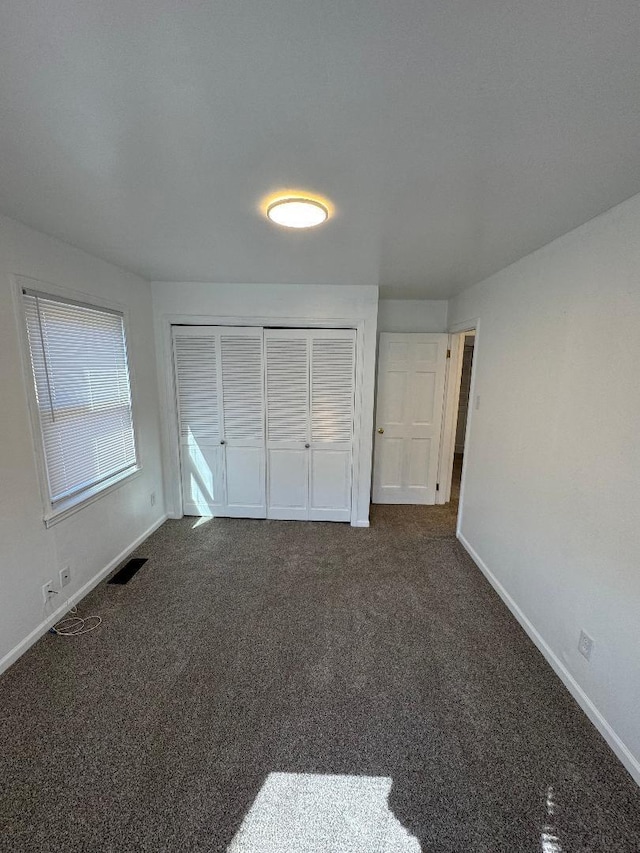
x: 193, y: 302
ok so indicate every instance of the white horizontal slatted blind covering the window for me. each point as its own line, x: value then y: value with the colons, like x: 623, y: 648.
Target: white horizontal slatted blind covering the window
x: 81, y: 376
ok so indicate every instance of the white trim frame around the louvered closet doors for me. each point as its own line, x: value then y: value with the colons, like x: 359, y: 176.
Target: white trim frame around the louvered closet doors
x: 172, y: 484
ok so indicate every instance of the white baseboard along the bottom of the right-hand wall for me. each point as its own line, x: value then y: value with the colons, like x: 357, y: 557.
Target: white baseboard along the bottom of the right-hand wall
x: 625, y: 755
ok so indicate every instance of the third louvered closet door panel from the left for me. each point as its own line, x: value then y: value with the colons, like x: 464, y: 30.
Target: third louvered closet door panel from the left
x: 288, y: 423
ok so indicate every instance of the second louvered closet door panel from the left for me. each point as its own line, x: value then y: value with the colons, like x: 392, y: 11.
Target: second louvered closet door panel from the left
x: 242, y: 382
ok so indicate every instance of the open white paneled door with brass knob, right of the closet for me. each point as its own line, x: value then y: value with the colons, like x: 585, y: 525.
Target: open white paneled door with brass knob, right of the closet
x: 409, y: 406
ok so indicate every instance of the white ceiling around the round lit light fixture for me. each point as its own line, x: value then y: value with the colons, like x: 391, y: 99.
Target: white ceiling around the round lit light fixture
x: 453, y: 136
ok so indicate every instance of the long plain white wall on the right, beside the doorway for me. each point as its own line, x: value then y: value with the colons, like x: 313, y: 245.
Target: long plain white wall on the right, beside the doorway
x: 550, y: 498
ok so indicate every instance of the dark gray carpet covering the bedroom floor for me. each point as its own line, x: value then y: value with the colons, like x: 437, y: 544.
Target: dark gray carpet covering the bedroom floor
x: 243, y: 648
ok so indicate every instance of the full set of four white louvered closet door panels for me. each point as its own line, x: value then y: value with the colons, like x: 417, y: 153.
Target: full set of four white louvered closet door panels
x: 265, y: 421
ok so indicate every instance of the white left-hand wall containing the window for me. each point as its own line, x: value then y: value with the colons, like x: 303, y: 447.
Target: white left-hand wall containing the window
x: 92, y: 538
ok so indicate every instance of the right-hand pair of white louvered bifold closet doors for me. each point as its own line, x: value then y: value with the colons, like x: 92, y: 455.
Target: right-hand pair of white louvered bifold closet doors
x: 310, y: 404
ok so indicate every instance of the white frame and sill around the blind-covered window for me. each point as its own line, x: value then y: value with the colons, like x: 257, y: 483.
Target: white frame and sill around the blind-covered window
x: 64, y: 508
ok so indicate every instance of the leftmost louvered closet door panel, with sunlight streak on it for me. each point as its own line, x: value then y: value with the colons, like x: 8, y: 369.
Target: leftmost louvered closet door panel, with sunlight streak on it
x: 196, y: 366
